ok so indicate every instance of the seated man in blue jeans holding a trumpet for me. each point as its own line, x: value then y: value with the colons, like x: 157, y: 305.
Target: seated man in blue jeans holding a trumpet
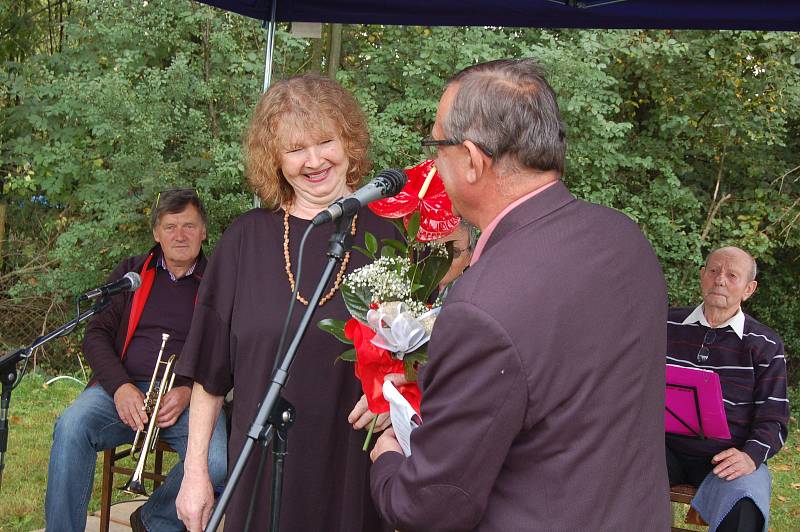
x: 123, y: 345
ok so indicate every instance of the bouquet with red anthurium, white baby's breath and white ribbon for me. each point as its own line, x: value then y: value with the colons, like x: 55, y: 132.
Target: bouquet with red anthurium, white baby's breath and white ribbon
x: 393, y: 300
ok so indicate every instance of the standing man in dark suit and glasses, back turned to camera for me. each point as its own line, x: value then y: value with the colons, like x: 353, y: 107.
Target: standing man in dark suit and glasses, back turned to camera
x: 543, y: 397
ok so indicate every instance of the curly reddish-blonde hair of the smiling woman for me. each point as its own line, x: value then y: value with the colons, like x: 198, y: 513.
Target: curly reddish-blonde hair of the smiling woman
x: 307, y: 103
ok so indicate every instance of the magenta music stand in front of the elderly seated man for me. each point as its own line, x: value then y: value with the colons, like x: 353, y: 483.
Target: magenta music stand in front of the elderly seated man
x: 693, y: 405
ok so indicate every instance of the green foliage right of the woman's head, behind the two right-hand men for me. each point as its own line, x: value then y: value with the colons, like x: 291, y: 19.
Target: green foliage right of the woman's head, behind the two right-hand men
x: 694, y: 135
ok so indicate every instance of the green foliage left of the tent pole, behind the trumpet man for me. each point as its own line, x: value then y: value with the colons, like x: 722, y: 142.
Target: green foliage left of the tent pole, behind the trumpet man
x: 140, y: 98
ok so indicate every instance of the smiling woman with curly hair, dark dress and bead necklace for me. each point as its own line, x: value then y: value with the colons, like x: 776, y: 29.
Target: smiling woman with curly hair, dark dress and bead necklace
x: 306, y: 147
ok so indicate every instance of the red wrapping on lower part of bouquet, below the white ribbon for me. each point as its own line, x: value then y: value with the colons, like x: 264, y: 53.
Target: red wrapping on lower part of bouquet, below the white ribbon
x: 373, y: 364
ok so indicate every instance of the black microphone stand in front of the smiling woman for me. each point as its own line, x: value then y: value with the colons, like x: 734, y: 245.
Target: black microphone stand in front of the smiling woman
x: 273, y: 407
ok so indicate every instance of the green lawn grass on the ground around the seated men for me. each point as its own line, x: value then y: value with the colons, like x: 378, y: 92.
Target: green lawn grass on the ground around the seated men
x: 33, y: 411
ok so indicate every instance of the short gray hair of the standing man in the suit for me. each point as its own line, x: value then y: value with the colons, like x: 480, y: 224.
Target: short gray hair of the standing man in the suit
x: 507, y: 107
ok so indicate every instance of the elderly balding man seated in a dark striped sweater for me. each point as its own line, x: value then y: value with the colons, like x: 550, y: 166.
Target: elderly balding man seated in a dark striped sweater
x: 732, y: 475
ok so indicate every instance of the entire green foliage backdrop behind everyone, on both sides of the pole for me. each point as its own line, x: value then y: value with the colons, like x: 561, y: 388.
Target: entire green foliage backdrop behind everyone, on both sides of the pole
x: 692, y: 134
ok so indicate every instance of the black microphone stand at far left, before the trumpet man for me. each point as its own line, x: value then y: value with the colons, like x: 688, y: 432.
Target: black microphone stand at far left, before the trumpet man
x: 8, y: 370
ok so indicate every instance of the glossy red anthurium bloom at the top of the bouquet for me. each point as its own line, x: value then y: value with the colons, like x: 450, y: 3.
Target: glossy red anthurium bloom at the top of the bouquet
x: 425, y: 192
